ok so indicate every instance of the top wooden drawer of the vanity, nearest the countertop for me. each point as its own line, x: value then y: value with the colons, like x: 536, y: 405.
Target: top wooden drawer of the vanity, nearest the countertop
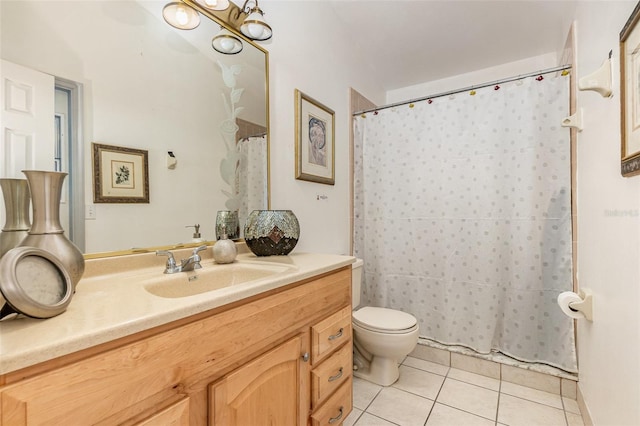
x: 330, y: 333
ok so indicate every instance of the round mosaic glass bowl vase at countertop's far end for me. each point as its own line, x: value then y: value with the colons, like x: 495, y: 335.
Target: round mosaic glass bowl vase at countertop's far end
x: 271, y: 232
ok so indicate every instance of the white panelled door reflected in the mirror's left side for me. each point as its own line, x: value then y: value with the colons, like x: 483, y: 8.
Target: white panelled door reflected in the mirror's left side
x: 26, y: 122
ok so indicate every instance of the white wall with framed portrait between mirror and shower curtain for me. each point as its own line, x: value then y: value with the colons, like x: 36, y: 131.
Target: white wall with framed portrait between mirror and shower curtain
x: 312, y: 55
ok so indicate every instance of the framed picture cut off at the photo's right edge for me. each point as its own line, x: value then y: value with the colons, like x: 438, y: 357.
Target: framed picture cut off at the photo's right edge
x: 630, y: 94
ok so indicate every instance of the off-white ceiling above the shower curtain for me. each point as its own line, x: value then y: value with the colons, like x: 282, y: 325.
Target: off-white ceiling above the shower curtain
x: 414, y: 41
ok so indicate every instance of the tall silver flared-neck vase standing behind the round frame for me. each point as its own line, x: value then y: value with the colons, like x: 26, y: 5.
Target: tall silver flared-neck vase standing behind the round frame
x: 46, y: 231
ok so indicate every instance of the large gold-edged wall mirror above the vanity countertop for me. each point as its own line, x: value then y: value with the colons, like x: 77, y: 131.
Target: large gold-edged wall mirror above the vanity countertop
x: 144, y: 85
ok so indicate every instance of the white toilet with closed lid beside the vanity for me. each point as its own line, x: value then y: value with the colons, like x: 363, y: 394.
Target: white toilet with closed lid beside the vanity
x: 381, y: 337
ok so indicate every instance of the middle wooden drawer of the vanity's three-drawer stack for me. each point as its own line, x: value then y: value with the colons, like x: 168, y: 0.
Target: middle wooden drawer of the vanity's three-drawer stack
x: 330, y: 374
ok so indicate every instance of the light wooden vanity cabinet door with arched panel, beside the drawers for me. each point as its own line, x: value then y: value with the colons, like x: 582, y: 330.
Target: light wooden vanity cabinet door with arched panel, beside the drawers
x: 267, y: 391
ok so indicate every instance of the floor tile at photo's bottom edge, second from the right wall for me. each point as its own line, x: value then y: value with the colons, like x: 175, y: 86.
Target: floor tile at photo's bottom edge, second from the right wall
x: 520, y: 412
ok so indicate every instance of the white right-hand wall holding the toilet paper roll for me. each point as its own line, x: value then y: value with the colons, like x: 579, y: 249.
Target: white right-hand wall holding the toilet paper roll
x: 608, y: 238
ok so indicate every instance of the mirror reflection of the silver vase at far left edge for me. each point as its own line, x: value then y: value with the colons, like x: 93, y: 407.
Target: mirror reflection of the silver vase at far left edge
x: 16, y: 203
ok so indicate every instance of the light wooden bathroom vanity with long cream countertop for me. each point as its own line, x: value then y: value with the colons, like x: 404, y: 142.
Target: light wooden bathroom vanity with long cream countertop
x: 273, y: 350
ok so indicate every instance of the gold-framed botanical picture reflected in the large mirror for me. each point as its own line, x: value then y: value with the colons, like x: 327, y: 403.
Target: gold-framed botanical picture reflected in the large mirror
x: 120, y: 175
